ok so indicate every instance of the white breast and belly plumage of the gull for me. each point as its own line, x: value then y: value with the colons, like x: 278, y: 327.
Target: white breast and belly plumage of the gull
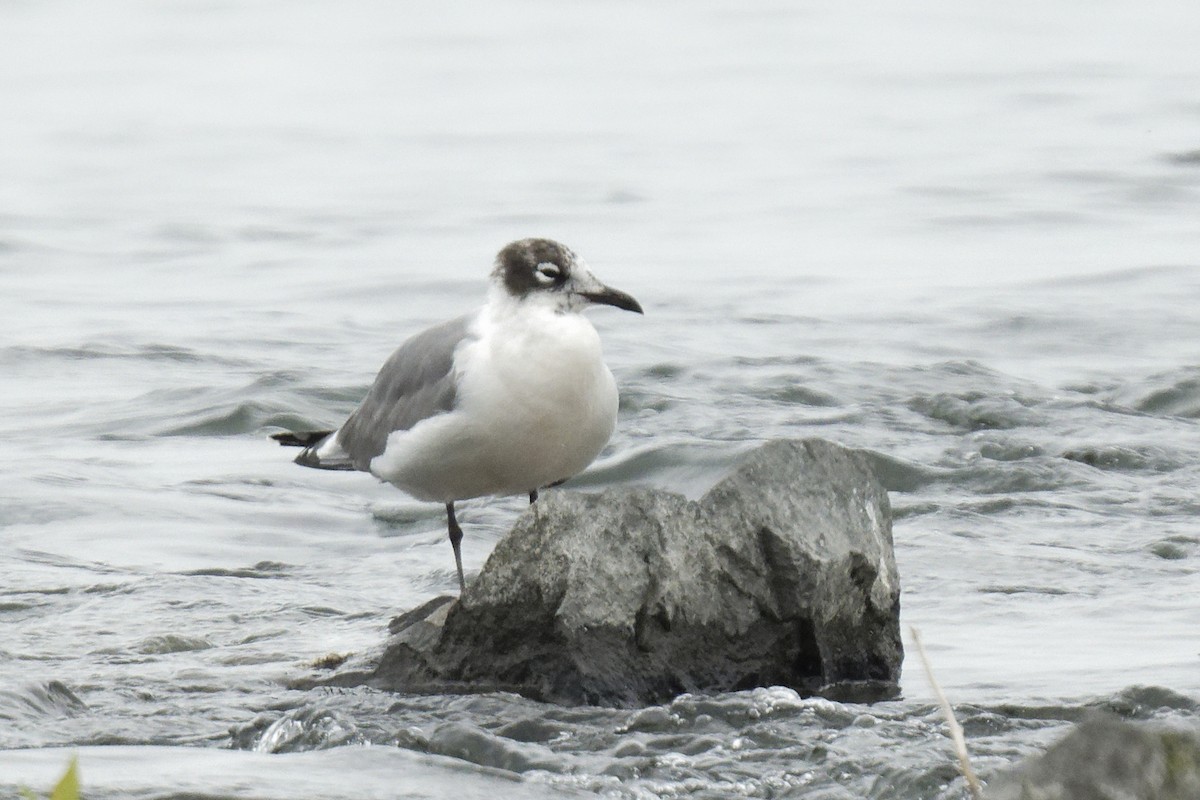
x: 536, y: 405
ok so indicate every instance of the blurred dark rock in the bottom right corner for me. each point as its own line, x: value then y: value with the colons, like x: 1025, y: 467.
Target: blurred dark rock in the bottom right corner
x: 1108, y: 759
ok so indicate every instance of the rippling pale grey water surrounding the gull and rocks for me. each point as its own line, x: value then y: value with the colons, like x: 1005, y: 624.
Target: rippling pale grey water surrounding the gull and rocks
x: 964, y: 238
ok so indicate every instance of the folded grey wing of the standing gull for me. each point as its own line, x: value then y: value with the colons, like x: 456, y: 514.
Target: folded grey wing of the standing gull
x: 415, y: 384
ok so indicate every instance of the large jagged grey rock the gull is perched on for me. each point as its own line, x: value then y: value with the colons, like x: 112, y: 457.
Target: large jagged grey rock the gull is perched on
x: 783, y: 574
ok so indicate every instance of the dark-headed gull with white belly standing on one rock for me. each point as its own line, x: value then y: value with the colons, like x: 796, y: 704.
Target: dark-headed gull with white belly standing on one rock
x: 507, y: 400
